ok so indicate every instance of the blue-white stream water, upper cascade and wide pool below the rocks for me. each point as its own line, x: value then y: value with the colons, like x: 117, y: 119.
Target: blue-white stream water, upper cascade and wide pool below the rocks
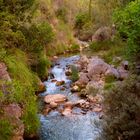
x: 54, y: 126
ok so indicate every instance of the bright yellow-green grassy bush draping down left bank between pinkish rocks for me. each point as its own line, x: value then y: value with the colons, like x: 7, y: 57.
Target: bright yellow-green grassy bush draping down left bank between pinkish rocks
x: 22, y: 88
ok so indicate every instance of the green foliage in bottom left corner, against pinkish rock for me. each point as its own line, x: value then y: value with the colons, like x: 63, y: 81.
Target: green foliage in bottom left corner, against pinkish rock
x: 5, y: 129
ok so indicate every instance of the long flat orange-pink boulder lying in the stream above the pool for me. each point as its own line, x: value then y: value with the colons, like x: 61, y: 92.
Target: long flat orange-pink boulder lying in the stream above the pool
x: 56, y: 98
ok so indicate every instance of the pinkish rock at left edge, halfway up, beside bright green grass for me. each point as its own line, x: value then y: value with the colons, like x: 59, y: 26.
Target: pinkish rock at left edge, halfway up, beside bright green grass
x: 4, y: 75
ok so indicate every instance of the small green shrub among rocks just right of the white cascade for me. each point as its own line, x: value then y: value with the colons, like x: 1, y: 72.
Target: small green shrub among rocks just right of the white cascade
x: 75, y: 73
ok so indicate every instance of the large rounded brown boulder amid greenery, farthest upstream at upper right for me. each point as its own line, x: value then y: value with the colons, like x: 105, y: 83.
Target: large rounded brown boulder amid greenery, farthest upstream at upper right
x: 103, y: 33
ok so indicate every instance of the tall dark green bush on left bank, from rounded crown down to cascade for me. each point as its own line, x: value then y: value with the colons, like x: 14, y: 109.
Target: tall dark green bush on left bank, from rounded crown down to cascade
x: 38, y: 37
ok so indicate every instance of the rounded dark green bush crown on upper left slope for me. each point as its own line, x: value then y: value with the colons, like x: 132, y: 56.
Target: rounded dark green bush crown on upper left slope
x: 38, y: 36
